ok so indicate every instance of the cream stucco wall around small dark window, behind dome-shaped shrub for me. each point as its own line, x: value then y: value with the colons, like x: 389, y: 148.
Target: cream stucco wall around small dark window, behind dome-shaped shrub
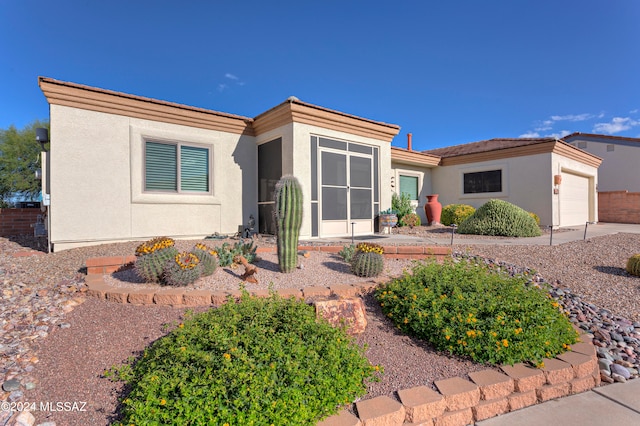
x: 527, y: 183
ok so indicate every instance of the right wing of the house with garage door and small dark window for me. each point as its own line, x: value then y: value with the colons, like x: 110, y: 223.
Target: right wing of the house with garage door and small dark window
x: 521, y: 171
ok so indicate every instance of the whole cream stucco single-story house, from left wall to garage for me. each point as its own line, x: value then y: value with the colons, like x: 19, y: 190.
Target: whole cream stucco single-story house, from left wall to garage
x: 123, y: 167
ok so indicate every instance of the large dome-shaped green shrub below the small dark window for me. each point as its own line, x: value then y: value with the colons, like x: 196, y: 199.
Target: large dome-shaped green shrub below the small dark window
x: 498, y: 217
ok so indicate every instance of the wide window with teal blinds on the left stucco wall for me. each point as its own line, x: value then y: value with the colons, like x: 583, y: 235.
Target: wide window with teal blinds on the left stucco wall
x: 176, y: 167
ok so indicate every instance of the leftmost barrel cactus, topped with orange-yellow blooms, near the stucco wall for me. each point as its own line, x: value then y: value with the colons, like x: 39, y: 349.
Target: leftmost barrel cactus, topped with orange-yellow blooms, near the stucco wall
x: 152, y: 257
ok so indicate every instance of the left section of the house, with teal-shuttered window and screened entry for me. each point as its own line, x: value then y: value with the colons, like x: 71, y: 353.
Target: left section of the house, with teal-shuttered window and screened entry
x: 124, y: 167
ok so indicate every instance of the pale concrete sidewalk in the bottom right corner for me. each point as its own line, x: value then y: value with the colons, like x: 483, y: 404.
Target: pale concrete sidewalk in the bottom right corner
x: 617, y: 404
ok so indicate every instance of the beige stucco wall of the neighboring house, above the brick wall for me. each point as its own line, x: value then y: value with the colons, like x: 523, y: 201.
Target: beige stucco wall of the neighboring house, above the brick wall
x: 618, y: 171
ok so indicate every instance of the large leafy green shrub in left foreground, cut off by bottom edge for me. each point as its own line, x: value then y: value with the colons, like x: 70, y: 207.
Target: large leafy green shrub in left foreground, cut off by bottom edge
x: 261, y: 361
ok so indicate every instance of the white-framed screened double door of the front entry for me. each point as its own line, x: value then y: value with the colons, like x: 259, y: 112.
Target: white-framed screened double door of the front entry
x: 347, y: 193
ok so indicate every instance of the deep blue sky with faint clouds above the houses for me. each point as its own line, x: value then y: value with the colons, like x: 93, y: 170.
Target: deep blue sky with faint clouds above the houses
x: 449, y: 72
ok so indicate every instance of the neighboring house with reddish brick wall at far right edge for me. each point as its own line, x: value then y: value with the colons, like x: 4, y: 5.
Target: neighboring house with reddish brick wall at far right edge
x: 618, y: 177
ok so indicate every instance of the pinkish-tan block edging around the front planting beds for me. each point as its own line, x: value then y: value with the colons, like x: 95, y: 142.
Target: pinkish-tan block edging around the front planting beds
x: 457, y: 402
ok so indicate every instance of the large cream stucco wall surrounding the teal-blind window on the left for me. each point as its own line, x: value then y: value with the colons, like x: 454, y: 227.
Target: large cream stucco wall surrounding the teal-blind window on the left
x: 96, y: 181
